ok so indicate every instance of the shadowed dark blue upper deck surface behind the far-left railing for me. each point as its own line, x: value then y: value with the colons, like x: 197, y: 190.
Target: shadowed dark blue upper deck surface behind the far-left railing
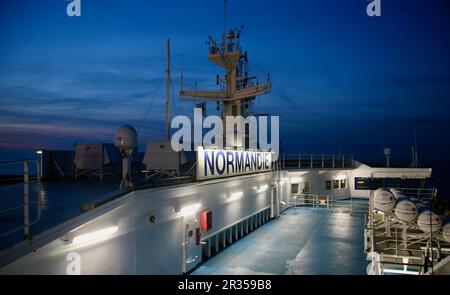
x: 59, y: 201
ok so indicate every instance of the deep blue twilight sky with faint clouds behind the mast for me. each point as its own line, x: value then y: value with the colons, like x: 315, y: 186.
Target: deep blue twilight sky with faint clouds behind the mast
x: 336, y: 72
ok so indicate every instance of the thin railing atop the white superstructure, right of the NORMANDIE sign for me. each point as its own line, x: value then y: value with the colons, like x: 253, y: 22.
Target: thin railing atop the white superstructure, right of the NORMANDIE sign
x: 296, y: 161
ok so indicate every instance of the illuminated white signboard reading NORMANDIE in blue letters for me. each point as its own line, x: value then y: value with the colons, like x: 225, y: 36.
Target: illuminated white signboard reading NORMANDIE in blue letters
x: 216, y: 163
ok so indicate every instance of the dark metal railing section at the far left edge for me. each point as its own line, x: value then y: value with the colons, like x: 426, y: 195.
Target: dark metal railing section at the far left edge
x: 26, y: 197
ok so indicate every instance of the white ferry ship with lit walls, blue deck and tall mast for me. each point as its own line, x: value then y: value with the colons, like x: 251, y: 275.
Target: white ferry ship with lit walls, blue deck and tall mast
x: 300, y: 214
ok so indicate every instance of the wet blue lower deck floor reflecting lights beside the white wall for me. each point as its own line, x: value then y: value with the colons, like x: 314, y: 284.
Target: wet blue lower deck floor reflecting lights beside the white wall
x: 300, y: 242
